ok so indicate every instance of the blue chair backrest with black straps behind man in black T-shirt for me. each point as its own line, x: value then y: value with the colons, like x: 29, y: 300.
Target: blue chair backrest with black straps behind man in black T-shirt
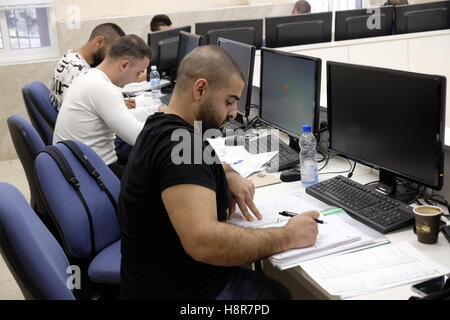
x: 75, y: 224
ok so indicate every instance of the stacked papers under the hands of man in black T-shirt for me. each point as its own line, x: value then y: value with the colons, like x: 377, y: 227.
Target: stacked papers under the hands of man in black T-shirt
x: 339, y: 232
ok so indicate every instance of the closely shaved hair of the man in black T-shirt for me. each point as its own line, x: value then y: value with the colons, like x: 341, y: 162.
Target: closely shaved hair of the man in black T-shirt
x: 210, y: 62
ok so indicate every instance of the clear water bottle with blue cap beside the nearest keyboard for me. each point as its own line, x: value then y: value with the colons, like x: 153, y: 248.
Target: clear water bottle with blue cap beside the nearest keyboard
x: 308, y: 163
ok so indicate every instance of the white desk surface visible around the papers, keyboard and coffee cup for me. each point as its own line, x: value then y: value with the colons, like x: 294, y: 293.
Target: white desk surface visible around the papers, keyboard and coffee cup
x: 296, y: 277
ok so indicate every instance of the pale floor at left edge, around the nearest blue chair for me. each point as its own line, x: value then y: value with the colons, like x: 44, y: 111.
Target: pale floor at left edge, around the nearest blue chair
x: 11, y: 171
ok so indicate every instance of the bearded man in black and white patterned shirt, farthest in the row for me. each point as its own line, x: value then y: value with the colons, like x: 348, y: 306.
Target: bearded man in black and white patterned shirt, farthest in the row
x: 74, y: 63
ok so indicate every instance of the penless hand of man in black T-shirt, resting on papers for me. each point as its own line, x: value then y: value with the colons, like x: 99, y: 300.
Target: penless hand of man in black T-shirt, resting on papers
x: 242, y: 191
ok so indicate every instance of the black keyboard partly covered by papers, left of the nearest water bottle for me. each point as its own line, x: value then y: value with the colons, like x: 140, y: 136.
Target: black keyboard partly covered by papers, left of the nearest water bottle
x: 285, y: 159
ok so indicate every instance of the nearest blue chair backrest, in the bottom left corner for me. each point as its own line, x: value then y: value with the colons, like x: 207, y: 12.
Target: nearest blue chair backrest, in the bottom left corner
x: 32, y: 254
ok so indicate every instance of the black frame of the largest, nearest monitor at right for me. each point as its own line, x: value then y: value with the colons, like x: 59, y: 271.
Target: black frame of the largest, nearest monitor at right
x: 441, y: 127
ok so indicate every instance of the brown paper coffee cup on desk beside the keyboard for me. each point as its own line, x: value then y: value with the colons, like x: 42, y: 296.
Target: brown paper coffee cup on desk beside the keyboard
x: 427, y: 223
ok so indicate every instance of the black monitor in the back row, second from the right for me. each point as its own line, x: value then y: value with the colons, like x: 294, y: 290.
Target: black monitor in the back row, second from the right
x: 354, y: 24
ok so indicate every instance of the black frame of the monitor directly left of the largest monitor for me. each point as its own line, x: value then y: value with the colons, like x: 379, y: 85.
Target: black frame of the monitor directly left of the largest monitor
x: 317, y: 80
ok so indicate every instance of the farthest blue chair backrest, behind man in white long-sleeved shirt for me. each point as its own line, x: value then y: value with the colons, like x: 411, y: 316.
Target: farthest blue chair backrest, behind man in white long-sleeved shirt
x: 40, y: 109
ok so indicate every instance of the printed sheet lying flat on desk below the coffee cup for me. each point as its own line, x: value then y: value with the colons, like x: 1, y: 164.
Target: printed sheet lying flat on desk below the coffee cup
x: 371, y: 270
